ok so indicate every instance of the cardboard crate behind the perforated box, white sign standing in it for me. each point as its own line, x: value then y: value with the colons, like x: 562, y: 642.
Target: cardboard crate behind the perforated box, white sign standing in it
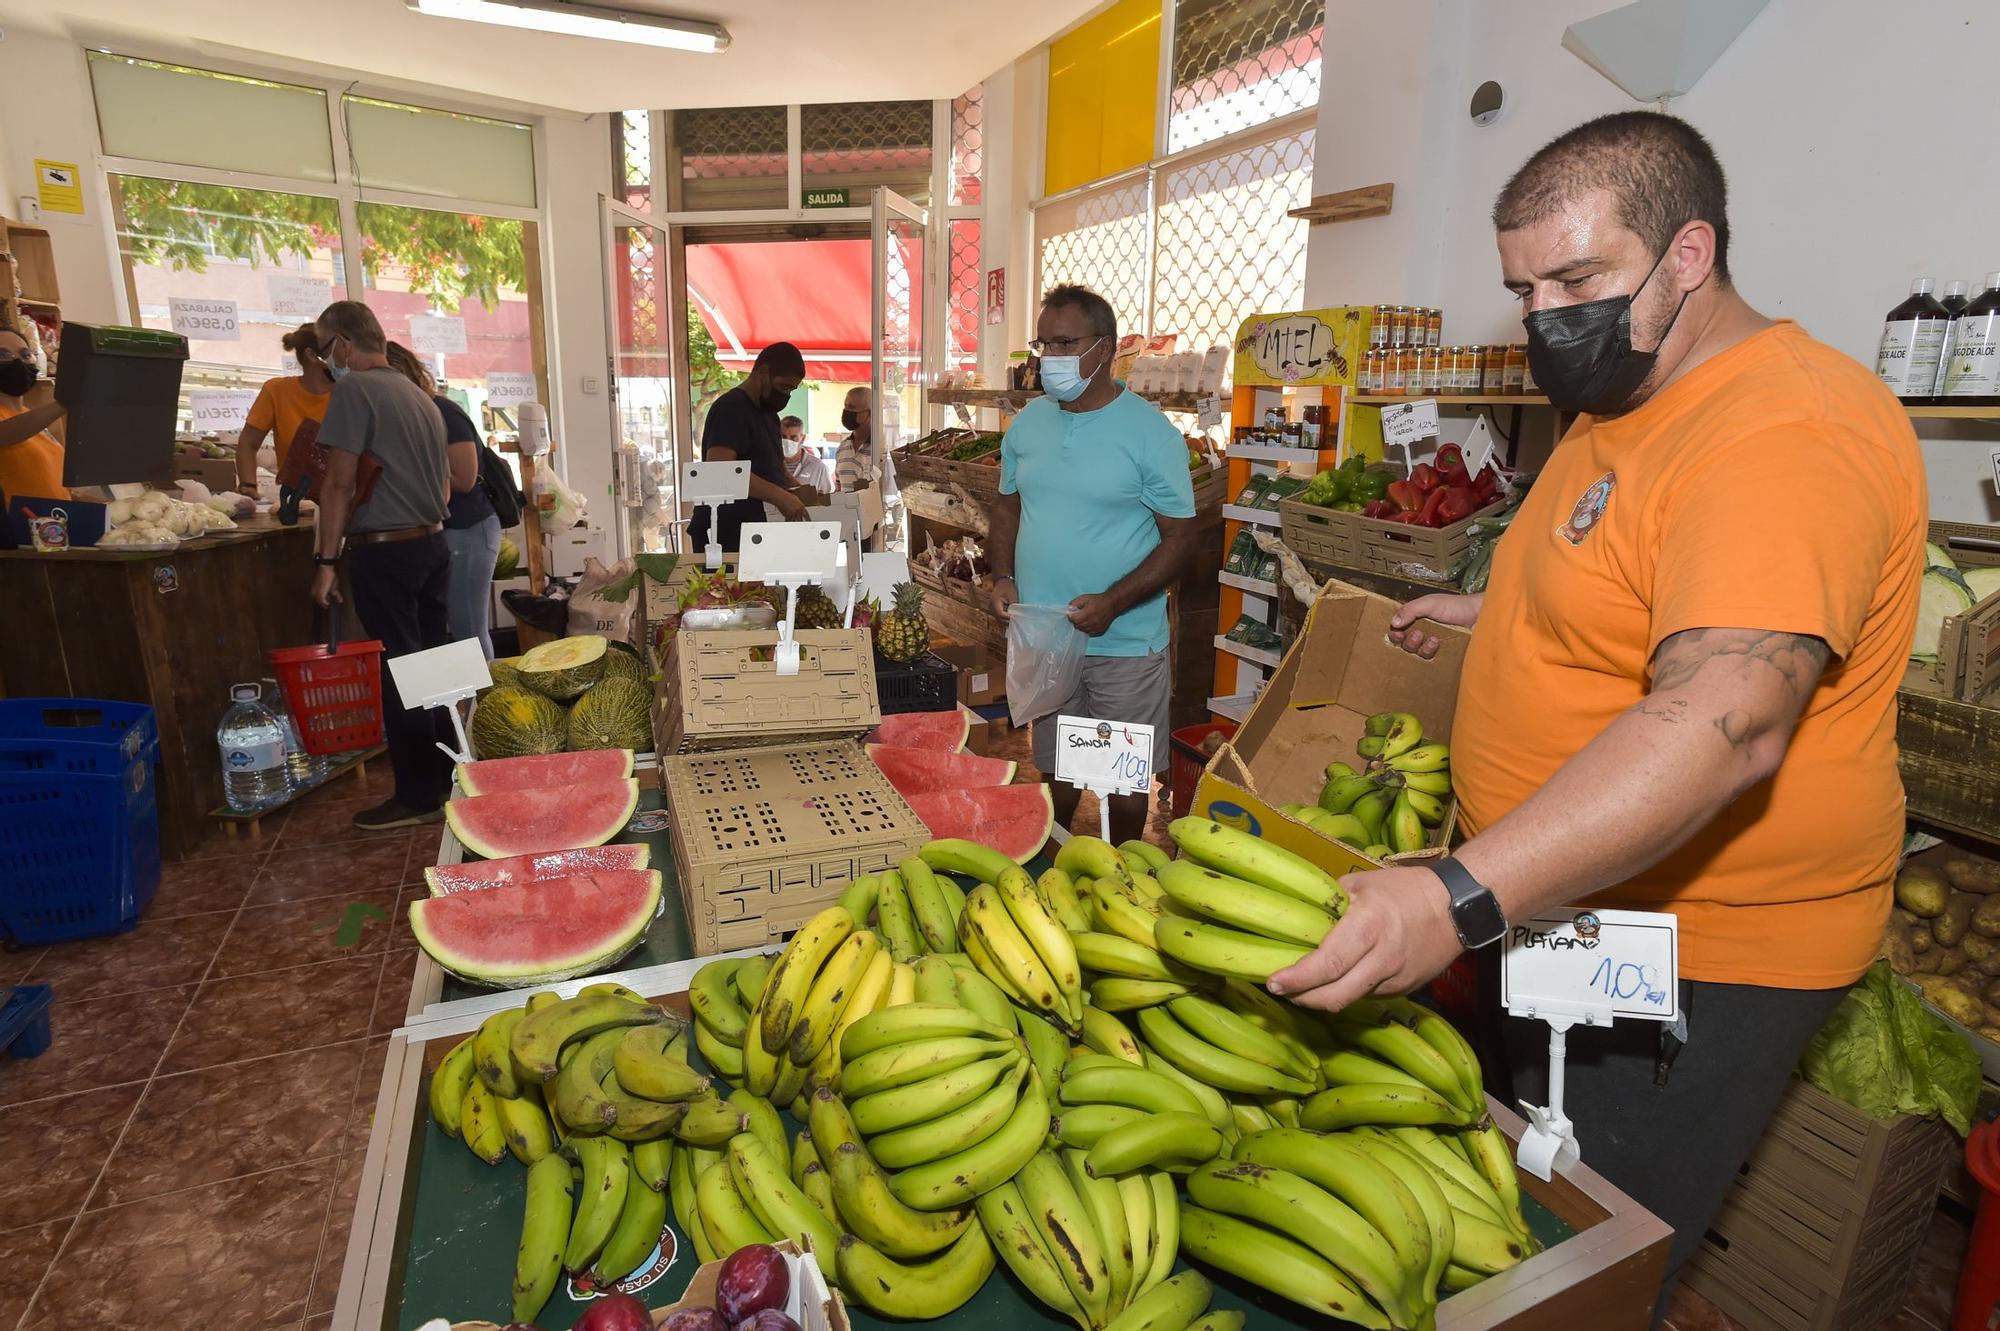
x: 721, y: 688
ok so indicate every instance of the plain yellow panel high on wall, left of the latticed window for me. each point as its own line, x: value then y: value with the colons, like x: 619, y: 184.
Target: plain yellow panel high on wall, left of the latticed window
x: 1103, y: 97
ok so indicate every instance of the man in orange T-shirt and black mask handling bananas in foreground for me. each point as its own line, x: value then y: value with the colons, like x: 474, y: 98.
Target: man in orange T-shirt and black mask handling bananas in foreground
x: 1681, y: 688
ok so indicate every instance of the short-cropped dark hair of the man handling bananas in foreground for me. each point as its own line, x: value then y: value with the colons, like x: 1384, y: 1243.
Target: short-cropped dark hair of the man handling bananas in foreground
x: 1657, y: 169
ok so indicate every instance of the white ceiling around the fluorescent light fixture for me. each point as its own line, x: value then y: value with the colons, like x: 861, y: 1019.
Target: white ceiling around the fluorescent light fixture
x: 781, y: 51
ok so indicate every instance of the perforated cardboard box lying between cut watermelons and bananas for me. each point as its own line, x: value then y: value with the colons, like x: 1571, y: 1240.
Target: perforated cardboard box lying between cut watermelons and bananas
x: 769, y: 836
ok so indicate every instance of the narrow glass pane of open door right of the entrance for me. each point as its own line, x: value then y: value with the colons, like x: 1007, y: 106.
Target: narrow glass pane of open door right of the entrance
x: 901, y: 255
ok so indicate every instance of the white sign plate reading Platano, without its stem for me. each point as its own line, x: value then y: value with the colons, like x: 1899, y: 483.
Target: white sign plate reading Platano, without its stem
x: 1607, y: 964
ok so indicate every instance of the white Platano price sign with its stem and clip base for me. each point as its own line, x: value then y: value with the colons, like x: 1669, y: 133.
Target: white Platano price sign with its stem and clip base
x: 1569, y: 968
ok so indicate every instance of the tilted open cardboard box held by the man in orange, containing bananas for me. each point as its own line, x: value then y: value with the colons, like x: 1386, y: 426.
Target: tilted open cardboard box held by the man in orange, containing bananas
x: 1337, y: 674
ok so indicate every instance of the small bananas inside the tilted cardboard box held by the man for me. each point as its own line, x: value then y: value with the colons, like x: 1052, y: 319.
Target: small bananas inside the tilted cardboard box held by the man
x: 1391, y: 804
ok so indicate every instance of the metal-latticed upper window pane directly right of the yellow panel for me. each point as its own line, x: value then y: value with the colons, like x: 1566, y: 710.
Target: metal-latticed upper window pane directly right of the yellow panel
x: 1241, y: 65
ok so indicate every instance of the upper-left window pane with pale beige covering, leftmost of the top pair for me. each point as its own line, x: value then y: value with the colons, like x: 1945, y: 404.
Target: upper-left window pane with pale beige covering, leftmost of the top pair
x: 169, y: 113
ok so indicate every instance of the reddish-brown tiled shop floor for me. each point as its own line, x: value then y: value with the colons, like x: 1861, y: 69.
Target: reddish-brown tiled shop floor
x: 189, y: 1150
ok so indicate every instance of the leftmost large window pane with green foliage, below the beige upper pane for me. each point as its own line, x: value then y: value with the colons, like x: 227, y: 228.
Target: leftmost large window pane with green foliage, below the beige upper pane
x: 245, y: 267
